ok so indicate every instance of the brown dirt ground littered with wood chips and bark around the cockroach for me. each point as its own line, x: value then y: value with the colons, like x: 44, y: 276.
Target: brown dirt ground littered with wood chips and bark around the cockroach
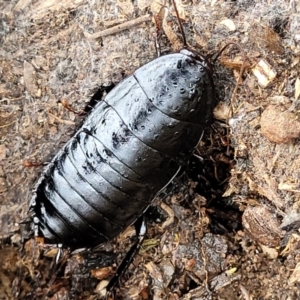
x: 228, y: 228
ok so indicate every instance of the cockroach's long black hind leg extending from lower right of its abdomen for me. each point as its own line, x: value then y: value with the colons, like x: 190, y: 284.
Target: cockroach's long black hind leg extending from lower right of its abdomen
x: 141, y: 228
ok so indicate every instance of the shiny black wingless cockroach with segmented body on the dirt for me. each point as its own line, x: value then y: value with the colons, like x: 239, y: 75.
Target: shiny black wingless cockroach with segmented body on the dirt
x: 130, y: 147
